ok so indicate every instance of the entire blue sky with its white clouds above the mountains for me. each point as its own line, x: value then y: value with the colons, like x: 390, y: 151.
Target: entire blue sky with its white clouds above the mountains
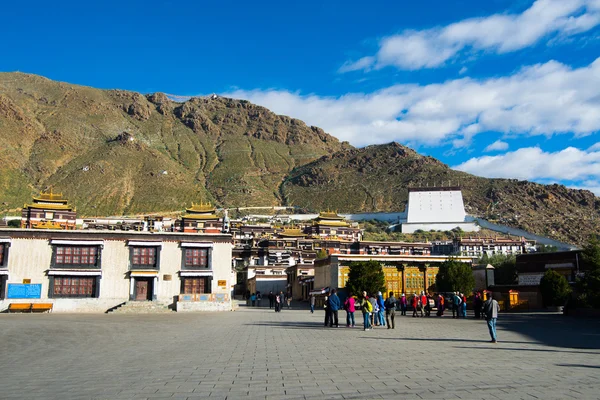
x: 497, y: 88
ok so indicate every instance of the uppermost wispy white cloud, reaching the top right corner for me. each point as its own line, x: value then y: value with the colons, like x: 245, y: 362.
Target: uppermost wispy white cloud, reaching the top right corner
x: 500, y: 33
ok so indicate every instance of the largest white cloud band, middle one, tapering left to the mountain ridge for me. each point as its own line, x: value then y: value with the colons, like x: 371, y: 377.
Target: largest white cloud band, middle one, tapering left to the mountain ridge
x: 543, y: 99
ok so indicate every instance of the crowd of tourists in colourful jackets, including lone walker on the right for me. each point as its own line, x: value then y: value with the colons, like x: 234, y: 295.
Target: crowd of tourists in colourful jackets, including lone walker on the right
x: 379, y: 312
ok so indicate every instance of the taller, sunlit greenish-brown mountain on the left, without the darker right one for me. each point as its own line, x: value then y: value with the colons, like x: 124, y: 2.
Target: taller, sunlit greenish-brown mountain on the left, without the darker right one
x: 118, y: 152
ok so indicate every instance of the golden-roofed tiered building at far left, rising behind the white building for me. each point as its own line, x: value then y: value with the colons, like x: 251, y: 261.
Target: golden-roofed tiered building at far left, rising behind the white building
x: 48, y: 211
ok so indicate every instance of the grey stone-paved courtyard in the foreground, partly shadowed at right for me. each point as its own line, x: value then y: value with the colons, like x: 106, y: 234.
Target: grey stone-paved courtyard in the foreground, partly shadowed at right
x: 260, y: 354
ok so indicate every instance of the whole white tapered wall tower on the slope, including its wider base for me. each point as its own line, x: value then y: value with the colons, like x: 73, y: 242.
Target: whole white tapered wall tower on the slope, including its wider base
x: 436, y: 208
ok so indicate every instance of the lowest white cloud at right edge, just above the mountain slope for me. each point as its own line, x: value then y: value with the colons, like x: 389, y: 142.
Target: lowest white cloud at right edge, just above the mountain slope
x: 531, y: 163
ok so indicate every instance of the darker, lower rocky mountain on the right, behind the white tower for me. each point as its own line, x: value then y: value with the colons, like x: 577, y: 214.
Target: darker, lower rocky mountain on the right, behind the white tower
x: 377, y: 178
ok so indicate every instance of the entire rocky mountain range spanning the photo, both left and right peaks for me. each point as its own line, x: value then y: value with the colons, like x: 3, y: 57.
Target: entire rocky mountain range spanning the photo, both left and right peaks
x: 115, y: 152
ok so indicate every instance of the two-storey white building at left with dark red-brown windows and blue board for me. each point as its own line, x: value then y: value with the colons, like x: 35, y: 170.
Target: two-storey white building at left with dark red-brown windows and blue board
x: 94, y: 271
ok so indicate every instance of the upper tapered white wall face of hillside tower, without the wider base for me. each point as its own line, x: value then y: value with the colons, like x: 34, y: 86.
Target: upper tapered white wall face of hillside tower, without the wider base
x: 436, y: 206
